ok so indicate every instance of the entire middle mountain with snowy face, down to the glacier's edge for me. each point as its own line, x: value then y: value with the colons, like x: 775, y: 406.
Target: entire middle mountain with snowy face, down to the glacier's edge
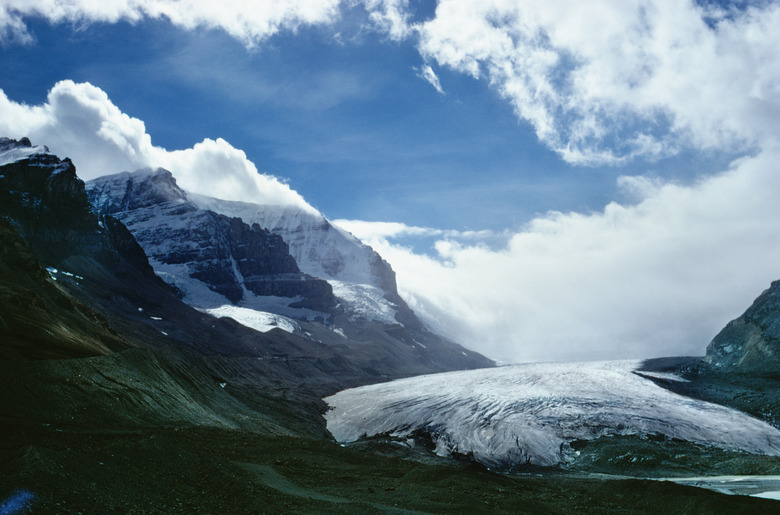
x: 205, y: 257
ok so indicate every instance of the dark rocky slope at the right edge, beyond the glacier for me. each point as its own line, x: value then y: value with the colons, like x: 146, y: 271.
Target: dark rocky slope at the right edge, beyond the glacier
x: 752, y: 341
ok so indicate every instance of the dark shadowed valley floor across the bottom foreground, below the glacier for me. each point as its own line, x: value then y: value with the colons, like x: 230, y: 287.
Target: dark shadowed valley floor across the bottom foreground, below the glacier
x: 209, y: 470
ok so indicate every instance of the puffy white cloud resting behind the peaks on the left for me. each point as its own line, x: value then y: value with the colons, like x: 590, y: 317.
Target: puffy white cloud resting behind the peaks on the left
x: 81, y: 122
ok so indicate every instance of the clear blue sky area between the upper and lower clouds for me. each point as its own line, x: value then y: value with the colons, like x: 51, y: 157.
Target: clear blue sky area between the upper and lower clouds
x: 347, y: 121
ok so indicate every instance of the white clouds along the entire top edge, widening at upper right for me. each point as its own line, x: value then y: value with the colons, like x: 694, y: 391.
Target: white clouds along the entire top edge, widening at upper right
x: 601, y: 82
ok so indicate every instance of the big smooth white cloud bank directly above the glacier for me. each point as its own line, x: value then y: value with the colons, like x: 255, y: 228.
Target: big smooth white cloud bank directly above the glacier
x: 654, y: 278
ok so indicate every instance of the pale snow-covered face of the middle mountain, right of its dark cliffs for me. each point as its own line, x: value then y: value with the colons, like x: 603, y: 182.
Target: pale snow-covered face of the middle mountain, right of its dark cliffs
x: 361, y: 279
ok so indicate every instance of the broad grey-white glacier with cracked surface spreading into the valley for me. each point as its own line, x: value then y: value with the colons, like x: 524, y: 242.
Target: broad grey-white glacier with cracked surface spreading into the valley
x: 528, y: 414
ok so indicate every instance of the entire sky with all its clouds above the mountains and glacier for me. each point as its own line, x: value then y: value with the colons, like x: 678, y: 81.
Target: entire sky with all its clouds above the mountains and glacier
x: 549, y: 179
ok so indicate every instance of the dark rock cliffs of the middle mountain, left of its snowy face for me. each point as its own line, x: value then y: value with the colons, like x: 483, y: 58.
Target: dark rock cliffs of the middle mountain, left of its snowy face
x: 229, y: 256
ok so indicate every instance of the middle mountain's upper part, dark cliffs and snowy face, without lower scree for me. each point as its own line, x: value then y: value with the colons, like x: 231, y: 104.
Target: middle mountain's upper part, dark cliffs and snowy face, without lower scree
x: 200, y: 245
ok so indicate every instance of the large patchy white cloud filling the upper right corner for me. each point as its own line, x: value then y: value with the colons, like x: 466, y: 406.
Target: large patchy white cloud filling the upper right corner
x: 604, y: 82
